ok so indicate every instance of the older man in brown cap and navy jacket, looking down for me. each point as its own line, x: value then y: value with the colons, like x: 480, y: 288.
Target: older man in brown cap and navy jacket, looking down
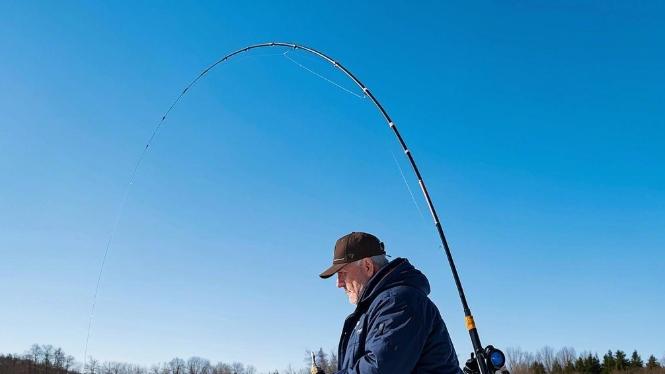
x: 395, y: 327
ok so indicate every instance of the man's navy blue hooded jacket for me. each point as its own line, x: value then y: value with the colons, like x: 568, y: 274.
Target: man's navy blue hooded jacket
x: 396, y: 328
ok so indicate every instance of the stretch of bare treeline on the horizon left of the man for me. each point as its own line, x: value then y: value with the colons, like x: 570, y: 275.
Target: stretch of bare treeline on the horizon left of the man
x: 46, y: 359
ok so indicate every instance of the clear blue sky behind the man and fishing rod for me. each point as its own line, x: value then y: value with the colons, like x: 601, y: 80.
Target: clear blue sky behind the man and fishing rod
x: 540, y: 129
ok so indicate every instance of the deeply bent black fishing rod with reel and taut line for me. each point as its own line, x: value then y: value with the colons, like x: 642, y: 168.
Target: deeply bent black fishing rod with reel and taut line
x: 488, y: 359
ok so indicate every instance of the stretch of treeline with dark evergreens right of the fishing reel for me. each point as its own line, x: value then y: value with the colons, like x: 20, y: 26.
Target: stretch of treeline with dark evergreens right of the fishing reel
x: 567, y: 361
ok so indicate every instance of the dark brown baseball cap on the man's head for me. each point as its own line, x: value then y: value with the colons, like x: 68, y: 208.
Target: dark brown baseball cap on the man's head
x: 353, y: 247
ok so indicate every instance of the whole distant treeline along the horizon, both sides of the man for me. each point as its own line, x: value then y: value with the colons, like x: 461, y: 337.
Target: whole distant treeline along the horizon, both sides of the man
x: 46, y: 359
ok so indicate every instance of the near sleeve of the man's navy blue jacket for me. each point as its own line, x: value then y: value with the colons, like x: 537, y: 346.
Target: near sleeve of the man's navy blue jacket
x: 397, y: 331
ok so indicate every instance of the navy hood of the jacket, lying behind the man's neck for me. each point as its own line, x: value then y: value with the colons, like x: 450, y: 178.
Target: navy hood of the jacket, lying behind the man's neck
x: 399, y: 272
